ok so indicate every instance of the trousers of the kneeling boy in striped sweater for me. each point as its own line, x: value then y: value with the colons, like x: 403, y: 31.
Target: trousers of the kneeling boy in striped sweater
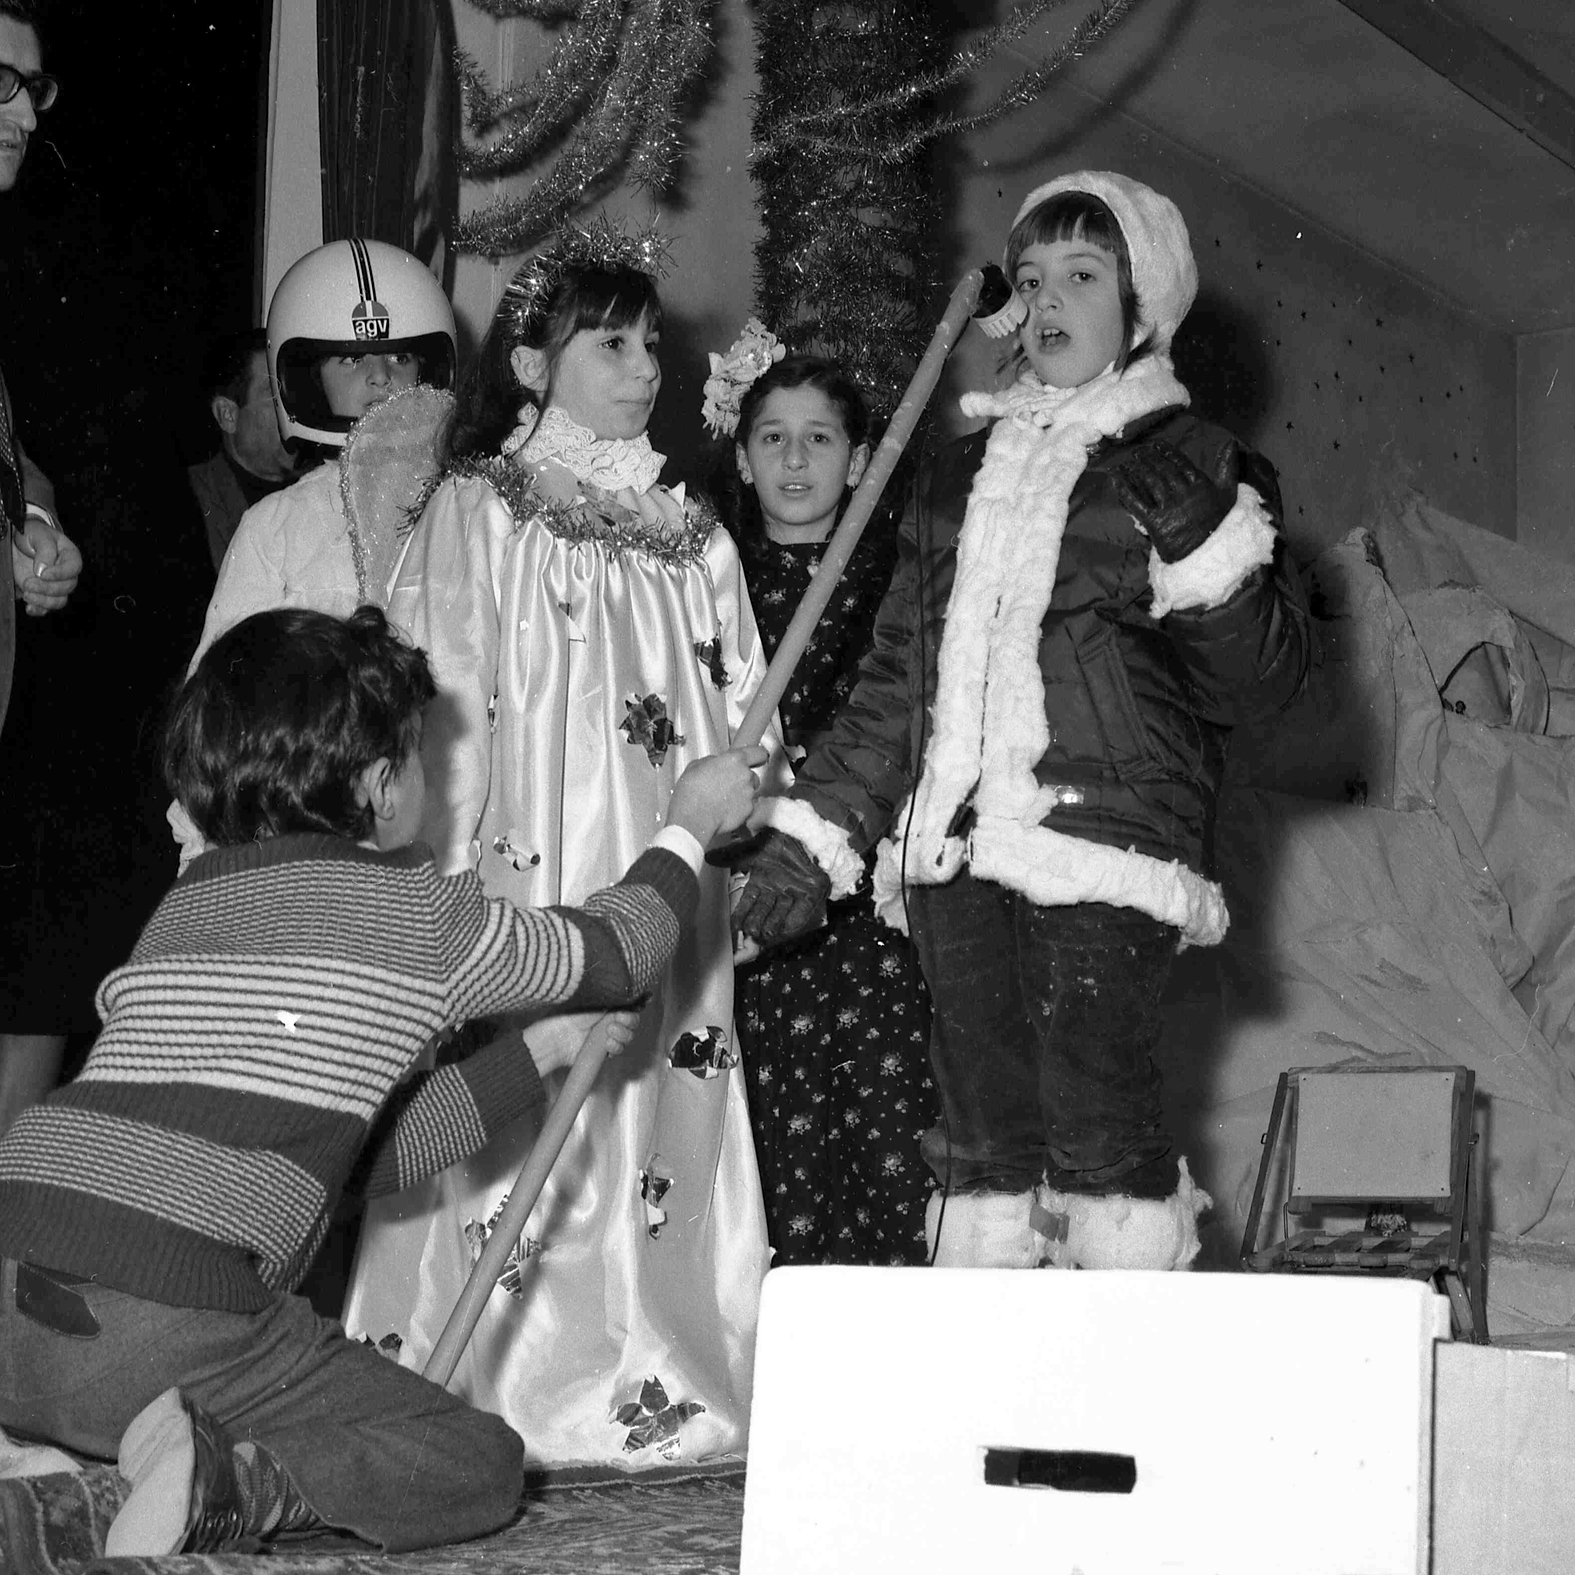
x: 374, y: 1450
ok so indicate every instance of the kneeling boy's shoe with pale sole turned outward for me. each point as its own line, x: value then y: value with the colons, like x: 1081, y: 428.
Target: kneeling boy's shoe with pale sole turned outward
x: 185, y: 1495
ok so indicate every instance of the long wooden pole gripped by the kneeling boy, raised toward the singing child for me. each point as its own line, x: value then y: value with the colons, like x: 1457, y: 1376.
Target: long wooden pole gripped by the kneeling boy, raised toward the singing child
x: 588, y: 1062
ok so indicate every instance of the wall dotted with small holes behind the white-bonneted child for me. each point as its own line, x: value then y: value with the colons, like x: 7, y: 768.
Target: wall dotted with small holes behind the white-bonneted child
x: 1344, y: 372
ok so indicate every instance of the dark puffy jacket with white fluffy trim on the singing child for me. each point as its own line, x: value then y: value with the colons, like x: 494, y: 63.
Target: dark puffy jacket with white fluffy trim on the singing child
x: 1132, y: 743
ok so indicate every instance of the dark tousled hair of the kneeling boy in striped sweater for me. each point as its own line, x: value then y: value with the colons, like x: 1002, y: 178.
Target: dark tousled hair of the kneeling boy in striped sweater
x: 284, y: 713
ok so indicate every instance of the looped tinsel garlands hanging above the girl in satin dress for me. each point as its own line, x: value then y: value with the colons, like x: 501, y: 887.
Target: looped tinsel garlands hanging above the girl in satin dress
x: 607, y: 105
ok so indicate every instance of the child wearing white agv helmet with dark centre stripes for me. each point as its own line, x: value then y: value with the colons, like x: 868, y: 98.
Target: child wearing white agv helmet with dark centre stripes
x: 349, y: 327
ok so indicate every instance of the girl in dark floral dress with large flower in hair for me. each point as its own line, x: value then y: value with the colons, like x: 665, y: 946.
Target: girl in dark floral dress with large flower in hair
x: 836, y: 1029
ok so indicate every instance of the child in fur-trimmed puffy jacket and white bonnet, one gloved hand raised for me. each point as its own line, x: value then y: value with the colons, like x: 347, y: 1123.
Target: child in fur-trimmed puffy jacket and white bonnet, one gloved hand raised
x: 1092, y: 591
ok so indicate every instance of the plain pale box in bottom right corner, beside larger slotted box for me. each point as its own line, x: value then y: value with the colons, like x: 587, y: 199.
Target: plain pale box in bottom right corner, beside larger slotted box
x: 1503, y: 1462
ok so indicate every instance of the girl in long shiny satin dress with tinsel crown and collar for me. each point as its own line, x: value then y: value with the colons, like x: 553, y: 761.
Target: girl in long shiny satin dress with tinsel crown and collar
x: 591, y: 636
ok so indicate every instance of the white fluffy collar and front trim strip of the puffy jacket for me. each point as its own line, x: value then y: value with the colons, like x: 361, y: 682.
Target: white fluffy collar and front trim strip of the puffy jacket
x: 990, y: 724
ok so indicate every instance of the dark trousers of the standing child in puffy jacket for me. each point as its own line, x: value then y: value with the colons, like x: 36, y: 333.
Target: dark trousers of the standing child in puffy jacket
x: 1043, y: 1037
